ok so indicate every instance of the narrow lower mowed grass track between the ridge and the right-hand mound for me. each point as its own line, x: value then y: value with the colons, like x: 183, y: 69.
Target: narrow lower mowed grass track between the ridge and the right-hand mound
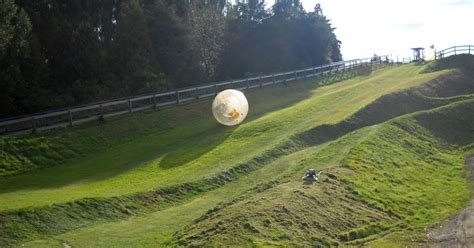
x: 158, y: 228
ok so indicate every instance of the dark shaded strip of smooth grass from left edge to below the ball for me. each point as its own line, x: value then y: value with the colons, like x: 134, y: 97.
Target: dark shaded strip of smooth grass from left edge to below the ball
x: 119, y: 160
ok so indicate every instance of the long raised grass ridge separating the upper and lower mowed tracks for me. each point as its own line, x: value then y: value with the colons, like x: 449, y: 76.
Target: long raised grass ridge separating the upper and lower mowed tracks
x: 31, y: 223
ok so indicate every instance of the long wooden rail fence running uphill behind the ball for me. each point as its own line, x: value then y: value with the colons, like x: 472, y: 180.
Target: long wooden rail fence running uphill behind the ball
x: 102, y: 110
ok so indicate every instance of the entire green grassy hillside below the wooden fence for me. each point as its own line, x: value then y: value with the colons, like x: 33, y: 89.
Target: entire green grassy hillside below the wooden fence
x: 390, y: 143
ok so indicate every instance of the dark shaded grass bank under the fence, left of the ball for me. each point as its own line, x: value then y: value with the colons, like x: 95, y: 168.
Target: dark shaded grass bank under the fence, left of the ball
x: 49, y: 149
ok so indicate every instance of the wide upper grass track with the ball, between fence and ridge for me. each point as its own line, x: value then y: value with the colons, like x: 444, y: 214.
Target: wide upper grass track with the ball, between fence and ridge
x: 194, y: 146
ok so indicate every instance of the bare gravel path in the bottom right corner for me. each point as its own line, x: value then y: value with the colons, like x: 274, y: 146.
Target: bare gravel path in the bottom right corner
x: 457, y: 231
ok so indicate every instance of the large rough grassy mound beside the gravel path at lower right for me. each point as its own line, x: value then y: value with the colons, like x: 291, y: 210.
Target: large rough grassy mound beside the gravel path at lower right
x: 403, y: 176
